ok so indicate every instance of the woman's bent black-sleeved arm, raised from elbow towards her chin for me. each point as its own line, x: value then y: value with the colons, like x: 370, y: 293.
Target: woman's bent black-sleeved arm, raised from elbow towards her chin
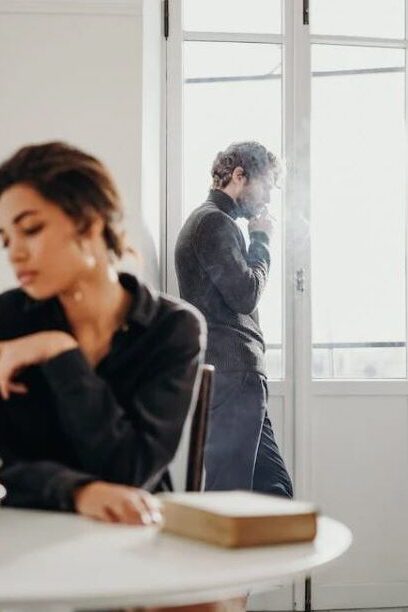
x: 132, y: 447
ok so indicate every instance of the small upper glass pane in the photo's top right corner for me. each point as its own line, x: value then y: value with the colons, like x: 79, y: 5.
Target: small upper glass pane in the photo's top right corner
x: 376, y: 18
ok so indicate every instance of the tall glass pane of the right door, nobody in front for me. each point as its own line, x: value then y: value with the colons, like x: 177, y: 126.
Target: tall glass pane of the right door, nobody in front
x: 358, y: 212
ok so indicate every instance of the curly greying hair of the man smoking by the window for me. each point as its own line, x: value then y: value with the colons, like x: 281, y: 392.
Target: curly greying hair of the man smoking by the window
x: 252, y: 157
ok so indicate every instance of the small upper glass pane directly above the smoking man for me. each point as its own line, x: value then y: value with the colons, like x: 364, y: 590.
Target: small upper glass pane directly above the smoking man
x: 259, y: 16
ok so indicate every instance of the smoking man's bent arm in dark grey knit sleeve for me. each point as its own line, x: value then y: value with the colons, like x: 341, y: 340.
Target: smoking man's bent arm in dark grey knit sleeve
x: 239, y: 278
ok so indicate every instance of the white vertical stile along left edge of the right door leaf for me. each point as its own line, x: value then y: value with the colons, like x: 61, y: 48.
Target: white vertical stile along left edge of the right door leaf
x: 299, y: 243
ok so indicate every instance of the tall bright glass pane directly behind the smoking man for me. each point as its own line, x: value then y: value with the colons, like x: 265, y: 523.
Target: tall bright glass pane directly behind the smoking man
x: 232, y: 92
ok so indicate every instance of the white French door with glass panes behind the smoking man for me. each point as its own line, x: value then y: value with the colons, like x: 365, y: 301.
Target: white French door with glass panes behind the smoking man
x: 324, y: 86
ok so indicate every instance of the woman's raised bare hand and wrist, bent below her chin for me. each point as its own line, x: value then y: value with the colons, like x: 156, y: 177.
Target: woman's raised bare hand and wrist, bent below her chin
x: 15, y: 355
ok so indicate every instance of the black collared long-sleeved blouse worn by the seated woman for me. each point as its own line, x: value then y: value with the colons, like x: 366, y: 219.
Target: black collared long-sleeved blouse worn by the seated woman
x: 120, y: 422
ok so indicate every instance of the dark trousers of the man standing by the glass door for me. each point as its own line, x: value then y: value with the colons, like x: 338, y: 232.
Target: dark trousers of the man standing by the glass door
x: 241, y: 452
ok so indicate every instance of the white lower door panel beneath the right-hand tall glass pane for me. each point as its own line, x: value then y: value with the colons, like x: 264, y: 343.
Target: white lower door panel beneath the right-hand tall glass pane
x: 359, y: 472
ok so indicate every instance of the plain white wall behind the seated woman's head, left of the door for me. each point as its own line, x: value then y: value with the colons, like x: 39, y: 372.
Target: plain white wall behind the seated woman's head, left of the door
x: 74, y: 70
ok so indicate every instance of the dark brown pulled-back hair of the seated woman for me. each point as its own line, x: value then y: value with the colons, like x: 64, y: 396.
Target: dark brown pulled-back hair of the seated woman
x: 73, y: 180
